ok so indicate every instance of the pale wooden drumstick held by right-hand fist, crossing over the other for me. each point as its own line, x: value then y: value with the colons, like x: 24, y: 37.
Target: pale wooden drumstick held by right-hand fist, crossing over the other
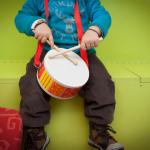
x: 69, y: 50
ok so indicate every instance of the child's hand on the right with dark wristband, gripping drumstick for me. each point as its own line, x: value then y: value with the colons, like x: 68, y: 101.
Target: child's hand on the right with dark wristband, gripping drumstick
x: 90, y: 38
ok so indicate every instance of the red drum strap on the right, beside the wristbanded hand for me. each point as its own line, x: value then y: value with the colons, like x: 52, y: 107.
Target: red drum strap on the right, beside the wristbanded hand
x: 80, y: 31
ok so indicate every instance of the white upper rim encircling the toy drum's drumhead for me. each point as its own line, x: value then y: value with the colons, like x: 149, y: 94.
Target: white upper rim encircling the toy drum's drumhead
x: 67, y: 86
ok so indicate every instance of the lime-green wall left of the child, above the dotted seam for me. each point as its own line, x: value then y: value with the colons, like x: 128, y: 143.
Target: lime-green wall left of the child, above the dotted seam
x: 14, y: 46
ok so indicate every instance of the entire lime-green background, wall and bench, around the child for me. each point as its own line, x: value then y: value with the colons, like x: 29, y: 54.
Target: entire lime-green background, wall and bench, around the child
x: 125, y: 52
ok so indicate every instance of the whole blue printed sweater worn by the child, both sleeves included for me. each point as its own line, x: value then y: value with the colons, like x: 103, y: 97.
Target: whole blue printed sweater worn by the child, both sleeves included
x: 61, y: 20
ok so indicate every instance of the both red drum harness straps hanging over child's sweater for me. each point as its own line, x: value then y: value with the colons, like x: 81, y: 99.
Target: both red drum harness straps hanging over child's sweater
x: 80, y: 33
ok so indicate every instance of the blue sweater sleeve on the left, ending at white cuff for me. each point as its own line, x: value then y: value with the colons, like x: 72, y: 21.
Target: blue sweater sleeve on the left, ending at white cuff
x: 26, y: 16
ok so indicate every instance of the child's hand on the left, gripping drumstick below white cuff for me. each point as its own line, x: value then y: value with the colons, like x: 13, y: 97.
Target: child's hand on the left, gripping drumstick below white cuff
x: 43, y: 33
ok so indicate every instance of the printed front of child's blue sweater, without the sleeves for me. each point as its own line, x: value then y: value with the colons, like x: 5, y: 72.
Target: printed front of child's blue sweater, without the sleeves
x: 61, y: 20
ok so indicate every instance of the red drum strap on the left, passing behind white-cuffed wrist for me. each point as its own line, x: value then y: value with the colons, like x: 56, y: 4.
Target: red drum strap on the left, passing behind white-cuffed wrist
x: 40, y: 45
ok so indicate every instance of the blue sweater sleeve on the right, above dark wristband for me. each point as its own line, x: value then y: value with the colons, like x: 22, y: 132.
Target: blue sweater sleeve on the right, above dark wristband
x: 98, y: 16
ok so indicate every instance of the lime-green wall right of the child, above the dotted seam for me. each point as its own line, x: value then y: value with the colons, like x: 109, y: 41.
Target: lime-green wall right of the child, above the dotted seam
x: 129, y: 36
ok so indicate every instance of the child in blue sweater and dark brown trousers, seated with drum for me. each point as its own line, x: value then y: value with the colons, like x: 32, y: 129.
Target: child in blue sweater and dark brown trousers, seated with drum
x: 98, y: 93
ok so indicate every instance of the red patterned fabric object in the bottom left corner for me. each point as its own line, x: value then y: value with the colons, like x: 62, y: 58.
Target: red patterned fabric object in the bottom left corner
x: 10, y: 129
